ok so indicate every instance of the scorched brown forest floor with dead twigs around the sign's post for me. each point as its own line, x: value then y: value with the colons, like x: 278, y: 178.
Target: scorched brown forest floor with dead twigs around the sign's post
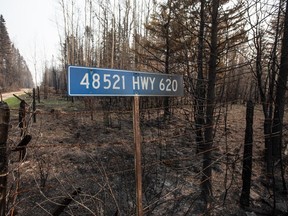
x: 86, y: 159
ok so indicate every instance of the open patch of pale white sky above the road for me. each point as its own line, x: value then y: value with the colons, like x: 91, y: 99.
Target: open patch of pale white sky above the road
x: 32, y: 27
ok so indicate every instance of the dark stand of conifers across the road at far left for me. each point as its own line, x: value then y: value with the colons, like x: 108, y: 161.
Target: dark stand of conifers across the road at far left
x: 14, y: 72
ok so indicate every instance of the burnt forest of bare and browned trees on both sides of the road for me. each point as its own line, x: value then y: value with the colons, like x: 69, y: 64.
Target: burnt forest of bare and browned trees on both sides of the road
x: 228, y: 52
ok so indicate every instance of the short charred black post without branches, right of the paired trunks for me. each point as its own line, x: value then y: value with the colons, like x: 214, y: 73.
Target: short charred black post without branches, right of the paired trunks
x: 247, y: 156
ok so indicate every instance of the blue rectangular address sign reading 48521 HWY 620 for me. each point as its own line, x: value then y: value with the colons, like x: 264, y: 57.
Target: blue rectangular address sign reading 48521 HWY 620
x: 86, y: 81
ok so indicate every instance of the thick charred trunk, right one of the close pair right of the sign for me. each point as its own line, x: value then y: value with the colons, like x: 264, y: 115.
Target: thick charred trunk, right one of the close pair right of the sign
x: 206, y: 183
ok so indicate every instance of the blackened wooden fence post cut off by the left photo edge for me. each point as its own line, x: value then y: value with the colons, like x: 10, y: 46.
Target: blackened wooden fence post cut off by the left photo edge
x: 4, y: 125
